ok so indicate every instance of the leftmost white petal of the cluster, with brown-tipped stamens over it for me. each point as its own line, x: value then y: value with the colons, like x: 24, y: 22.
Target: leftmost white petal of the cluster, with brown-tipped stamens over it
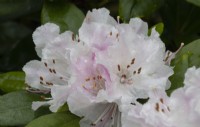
x: 40, y: 76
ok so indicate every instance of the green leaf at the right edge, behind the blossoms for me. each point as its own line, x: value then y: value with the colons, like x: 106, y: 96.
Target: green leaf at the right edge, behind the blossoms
x: 189, y: 56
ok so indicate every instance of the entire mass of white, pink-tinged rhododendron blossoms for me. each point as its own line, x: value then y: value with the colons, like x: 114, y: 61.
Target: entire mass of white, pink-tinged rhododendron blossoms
x: 102, y: 72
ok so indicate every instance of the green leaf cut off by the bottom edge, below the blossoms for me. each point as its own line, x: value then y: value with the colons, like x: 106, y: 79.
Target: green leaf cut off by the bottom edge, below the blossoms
x: 56, y: 120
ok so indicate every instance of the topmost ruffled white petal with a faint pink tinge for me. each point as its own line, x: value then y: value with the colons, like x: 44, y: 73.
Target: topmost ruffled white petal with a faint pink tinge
x: 98, y: 29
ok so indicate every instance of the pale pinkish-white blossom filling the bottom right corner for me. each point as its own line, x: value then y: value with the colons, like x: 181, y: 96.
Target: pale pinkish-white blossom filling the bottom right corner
x: 181, y: 109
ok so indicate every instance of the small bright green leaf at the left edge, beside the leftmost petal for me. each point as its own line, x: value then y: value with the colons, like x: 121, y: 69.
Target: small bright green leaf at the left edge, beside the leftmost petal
x: 12, y: 81
